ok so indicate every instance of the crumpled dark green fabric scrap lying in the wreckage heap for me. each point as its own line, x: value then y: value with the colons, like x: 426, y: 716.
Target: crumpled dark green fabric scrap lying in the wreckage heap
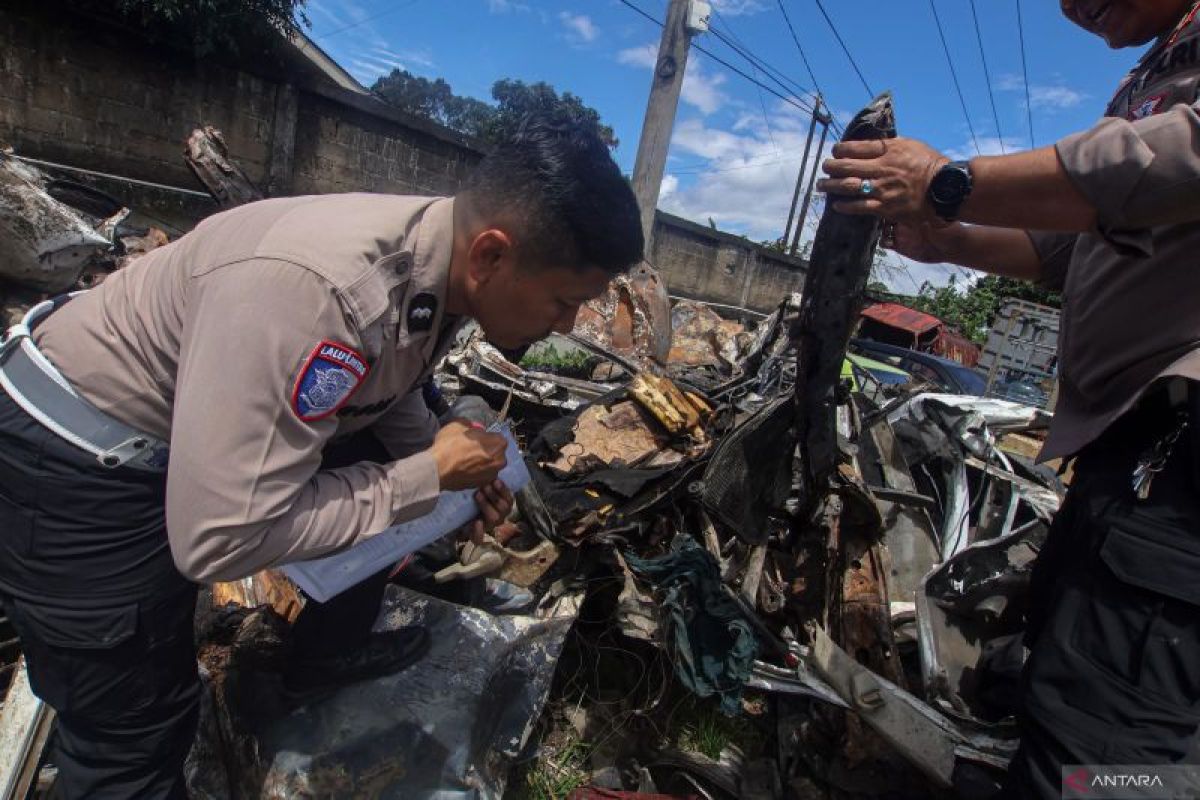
x: 712, y: 645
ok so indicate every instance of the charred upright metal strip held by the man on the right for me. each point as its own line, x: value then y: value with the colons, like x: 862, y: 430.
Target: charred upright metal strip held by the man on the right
x: 843, y: 254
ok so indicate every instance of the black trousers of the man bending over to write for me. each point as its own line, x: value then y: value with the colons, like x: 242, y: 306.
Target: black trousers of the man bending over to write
x: 106, y: 621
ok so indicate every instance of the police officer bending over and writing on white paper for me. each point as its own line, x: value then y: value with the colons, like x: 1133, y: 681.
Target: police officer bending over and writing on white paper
x: 175, y: 426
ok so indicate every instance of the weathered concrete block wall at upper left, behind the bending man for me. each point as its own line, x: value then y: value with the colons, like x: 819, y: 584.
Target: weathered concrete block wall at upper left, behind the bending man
x: 100, y: 99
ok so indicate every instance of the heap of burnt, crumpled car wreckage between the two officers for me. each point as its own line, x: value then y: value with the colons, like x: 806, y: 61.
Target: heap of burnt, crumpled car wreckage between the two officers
x: 719, y: 532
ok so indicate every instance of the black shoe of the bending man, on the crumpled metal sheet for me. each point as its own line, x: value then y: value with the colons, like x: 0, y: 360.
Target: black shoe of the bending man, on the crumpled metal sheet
x: 382, y: 654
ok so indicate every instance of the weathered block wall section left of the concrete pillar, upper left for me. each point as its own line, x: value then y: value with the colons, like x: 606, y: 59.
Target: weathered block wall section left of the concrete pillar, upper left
x: 86, y: 97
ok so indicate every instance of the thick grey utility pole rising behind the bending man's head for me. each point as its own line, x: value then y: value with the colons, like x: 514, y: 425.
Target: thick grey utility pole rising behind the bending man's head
x: 661, y: 110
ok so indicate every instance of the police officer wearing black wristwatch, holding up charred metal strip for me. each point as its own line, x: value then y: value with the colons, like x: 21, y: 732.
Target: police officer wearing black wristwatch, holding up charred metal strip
x: 1112, y: 216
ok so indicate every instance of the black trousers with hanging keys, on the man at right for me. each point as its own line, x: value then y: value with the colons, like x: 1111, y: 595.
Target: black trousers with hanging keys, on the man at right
x: 1114, y: 667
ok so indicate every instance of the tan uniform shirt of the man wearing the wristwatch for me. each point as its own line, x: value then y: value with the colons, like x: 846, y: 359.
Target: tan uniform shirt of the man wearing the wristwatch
x: 1132, y: 288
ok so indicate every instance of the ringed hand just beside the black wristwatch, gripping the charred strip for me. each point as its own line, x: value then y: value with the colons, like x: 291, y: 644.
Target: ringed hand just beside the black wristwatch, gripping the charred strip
x: 898, y: 171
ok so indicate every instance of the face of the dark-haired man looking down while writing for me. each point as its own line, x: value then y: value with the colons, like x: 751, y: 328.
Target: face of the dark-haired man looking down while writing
x: 520, y: 305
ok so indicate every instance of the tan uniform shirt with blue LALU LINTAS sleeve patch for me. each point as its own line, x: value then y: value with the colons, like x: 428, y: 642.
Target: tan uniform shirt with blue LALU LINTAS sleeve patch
x: 253, y: 342
